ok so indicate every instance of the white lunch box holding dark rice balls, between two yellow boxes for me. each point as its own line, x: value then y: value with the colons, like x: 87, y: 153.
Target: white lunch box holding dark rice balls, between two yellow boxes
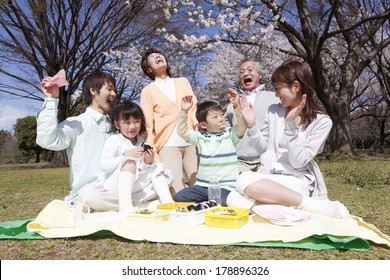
x: 194, y: 213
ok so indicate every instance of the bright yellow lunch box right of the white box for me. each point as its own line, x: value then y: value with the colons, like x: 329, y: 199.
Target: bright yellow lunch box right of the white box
x: 221, y: 217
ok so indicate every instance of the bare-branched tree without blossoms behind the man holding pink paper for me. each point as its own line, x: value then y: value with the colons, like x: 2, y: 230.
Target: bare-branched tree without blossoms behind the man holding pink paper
x: 38, y: 38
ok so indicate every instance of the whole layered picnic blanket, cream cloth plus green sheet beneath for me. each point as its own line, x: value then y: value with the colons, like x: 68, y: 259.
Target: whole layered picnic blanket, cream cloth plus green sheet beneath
x: 320, y: 233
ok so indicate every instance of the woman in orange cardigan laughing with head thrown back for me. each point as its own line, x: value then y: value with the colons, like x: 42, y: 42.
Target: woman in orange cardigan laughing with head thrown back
x: 161, y: 103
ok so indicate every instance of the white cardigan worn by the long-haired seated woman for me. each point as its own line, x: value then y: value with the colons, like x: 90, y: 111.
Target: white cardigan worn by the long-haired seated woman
x: 301, y: 152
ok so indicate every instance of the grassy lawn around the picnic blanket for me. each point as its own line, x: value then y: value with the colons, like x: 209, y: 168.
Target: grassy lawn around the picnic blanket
x: 362, y: 184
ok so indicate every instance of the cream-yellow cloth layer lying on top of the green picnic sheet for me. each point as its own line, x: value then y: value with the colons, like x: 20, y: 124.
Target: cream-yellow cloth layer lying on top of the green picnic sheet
x: 257, y: 229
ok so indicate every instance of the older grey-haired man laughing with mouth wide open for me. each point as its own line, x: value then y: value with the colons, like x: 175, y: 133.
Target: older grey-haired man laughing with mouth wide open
x: 250, y: 77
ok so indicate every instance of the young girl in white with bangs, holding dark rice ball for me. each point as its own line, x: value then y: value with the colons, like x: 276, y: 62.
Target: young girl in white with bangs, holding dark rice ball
x: 130, y: 171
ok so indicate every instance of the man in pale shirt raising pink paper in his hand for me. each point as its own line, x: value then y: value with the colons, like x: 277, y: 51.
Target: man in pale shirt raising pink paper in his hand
x: 82, y: 136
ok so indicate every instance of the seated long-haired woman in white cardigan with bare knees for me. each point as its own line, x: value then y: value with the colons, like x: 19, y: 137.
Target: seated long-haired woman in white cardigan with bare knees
x: 294, y: 132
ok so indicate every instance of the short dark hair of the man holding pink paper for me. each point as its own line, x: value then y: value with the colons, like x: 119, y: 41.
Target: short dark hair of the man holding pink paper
x: 95, y: 81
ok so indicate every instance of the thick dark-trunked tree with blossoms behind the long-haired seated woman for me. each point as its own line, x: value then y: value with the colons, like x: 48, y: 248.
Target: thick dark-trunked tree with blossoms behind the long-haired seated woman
x: 329, y: 35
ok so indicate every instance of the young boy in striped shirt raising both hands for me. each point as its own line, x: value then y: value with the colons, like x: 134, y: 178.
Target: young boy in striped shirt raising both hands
x: 216, y: 146
